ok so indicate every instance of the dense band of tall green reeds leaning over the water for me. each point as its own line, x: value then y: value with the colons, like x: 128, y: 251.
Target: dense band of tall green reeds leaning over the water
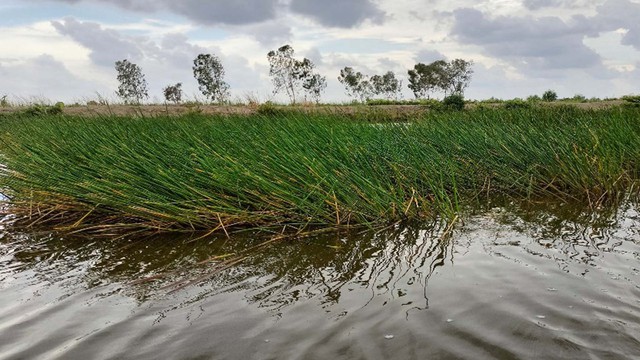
x: 217, y: 173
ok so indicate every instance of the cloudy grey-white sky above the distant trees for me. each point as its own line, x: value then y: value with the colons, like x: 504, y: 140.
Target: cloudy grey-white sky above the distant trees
x: 65, y: 50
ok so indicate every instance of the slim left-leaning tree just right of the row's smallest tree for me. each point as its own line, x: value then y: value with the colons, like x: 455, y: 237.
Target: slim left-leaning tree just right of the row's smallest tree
x: 209, y: 72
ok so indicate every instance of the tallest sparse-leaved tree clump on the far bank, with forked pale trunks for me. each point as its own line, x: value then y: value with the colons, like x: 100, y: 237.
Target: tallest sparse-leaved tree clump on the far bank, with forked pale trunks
x: 291, y: 75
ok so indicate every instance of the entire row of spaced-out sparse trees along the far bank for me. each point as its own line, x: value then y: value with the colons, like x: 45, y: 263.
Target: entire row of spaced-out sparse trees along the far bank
x: 296, y: 78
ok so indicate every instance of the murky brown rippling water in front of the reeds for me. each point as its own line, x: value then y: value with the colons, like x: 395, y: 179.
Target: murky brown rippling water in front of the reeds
x: 508, y: 283
